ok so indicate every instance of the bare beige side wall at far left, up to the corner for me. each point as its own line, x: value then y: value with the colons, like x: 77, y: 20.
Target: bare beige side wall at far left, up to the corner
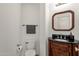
x: 9, y: 28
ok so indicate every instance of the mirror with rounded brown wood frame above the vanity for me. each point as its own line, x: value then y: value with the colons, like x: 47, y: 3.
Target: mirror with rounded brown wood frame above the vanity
x: 63, y: 21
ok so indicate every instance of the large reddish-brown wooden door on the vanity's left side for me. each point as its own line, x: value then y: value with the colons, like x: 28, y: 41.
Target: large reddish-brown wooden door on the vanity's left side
x: 61, y: 49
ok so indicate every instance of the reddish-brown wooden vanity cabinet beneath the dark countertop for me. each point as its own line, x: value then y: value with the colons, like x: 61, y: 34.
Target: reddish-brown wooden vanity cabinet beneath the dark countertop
x: 57, y: 48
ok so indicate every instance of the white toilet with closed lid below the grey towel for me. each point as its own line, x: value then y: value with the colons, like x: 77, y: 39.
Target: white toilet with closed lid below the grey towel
x: 30, y: 48
